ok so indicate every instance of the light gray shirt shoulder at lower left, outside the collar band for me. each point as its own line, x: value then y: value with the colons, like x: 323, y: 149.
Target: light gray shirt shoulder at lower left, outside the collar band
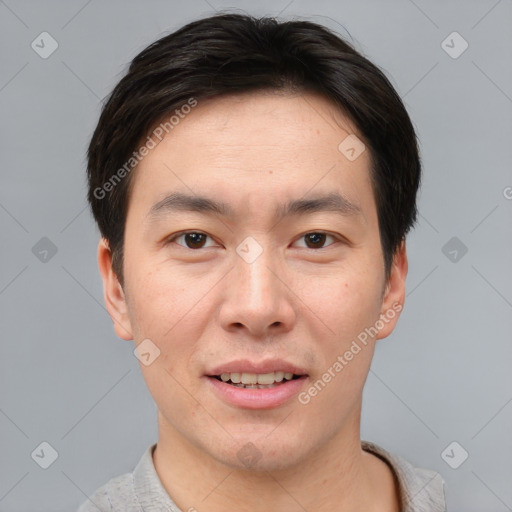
x: 115, y: 496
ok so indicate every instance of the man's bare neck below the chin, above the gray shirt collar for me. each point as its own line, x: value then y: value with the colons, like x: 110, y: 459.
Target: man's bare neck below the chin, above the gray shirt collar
x: 339, y: 476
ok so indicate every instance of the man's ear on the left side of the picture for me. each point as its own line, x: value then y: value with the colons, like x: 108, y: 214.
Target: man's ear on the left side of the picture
x: 113, y: 293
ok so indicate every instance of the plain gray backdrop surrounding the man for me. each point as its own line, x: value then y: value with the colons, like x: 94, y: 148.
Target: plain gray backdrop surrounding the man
x: 443, y: 376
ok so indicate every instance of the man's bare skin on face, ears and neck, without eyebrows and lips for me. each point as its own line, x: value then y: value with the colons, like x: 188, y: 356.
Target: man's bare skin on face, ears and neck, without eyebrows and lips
x: 206, y: 306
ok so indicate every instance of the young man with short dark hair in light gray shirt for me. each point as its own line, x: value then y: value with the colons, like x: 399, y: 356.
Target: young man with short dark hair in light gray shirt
x: 253, y: 182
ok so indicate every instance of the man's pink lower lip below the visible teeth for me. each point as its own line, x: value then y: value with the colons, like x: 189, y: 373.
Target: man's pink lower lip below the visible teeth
x: 257, y: 398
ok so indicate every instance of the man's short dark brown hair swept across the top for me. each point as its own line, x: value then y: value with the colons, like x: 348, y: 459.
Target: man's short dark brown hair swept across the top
x: 232, y: 53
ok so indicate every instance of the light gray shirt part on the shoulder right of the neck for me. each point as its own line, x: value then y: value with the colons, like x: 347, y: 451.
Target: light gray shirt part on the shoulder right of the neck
x: 421, y: 490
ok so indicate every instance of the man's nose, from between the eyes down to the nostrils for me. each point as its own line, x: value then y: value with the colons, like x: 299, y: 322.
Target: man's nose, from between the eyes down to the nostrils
x: 257, y: 298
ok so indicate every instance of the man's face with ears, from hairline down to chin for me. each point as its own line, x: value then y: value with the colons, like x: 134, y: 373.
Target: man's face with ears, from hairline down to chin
x: 252, y: 253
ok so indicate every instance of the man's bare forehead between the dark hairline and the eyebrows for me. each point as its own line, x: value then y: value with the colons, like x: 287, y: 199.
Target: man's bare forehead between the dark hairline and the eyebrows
x: 254, y: 147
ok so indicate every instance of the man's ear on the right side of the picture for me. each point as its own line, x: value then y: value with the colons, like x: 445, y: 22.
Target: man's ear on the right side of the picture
x: 394, y: 293
